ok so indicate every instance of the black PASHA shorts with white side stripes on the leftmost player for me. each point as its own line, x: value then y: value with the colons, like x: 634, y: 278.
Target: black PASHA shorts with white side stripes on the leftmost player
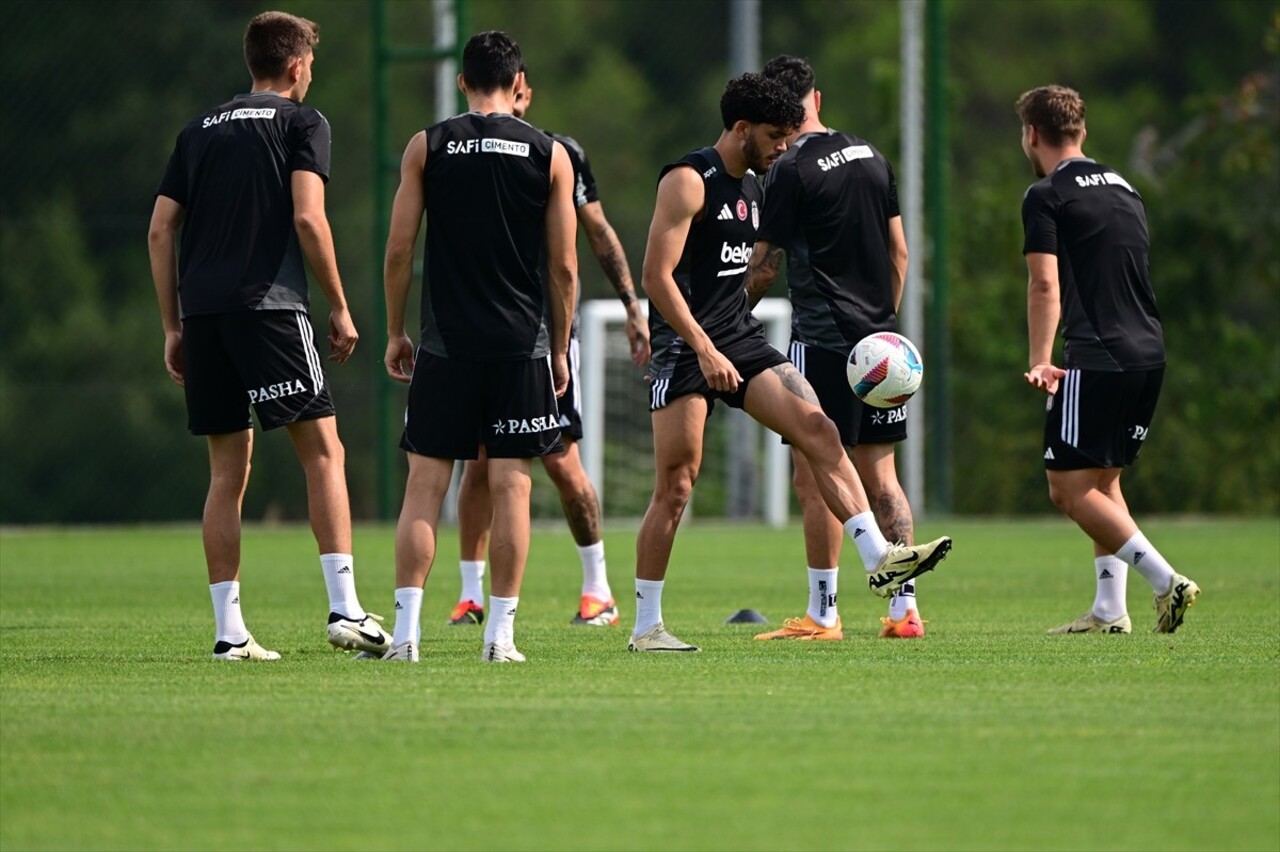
x: 260, y: 360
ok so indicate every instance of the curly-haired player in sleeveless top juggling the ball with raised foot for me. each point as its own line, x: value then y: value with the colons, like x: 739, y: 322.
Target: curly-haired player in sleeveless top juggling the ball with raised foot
x: 708, y: 347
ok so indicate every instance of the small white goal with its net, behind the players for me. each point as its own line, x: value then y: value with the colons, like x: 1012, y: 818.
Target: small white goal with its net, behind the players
x: 618, y: 443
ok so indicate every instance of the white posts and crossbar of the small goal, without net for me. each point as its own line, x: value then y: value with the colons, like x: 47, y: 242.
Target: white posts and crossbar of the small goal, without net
x: 593, y: 319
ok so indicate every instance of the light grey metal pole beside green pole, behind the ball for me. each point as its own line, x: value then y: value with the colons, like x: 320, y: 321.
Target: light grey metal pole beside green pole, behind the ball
x: 911, y: 191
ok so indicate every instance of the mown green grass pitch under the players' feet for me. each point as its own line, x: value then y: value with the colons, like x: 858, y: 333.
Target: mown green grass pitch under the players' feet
x: 117, y: 732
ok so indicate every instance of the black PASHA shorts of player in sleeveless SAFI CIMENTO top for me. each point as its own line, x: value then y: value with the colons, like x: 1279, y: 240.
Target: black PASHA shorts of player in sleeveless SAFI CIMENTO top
x: 458, y: 405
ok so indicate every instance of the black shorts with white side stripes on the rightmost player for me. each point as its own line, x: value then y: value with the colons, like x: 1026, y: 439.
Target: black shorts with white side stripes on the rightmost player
x: 1100, y: 420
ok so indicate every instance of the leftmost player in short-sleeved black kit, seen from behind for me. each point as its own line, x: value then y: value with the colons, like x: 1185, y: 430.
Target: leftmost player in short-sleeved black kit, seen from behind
x: 245, y: 187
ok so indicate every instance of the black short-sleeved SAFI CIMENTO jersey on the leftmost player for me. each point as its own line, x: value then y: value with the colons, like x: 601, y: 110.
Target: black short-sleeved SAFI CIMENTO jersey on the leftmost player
x: 231, y: 171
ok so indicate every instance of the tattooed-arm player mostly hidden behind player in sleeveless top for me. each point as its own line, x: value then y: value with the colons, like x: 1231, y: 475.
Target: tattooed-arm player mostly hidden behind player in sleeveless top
x: 578, y: 496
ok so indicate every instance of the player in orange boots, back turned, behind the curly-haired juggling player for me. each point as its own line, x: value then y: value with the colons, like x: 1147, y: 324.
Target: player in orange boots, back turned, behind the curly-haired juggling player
x: 831, y: 207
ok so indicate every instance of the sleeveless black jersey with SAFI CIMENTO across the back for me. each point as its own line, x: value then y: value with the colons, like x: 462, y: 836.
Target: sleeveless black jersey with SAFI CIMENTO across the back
x: 487, y: 184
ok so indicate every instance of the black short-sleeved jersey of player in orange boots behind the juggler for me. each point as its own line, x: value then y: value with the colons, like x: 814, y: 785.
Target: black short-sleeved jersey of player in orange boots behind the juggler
x: 828, y: 203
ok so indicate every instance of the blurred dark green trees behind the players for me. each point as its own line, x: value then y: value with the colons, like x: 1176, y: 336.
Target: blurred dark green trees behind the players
x: 1183, y: 98
